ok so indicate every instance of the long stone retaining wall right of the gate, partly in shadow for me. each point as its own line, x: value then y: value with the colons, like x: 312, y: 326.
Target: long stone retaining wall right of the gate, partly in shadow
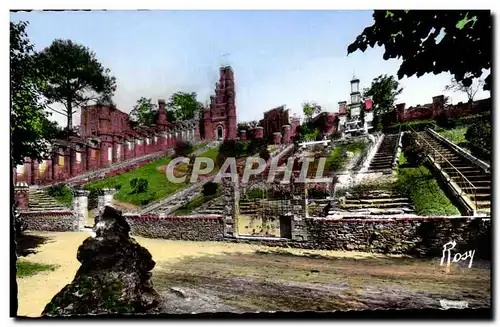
x: 415, y: 236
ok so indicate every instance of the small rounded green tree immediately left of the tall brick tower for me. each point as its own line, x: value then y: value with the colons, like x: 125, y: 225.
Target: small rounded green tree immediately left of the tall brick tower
x: 183, y: 106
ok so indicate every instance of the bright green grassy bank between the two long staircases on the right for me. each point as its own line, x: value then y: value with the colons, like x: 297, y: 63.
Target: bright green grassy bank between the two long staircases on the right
x: 424, y: 190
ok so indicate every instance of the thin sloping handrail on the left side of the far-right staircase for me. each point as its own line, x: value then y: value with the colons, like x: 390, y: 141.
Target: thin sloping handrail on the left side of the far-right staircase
x: 454, y: 173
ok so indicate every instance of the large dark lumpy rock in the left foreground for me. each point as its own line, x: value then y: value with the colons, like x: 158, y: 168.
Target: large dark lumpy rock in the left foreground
x: 114, y: 276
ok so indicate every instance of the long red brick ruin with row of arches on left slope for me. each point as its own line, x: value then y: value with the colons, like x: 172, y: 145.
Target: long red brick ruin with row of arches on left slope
x: 105, y: 137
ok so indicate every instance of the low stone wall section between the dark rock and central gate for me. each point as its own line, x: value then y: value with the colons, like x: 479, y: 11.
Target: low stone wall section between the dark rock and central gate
x: 186, y: 228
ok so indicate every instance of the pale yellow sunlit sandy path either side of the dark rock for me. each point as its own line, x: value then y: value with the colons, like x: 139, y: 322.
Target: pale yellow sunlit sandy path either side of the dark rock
x: 36, y: 291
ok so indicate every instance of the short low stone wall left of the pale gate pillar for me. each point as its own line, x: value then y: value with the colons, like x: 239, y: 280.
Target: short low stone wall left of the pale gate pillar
x: 53, y: 221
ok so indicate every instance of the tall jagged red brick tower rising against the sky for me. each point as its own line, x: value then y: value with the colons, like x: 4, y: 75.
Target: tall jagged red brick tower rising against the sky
x: 219, y: 119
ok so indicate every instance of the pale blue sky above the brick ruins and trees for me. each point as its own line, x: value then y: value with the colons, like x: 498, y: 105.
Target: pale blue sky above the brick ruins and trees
x: 278, y: 57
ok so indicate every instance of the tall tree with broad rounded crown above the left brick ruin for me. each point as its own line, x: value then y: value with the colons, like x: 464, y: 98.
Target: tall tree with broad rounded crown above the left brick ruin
x: 74, y: 77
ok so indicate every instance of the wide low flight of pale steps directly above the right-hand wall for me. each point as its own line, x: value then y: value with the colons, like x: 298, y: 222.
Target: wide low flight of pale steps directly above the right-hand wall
x: 373, y: 203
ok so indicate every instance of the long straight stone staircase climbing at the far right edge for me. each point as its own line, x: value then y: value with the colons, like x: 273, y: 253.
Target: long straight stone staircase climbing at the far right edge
x: 450, y: 161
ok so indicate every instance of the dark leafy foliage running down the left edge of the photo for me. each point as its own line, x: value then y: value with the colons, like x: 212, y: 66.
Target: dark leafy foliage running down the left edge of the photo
x: 27, y: 109
